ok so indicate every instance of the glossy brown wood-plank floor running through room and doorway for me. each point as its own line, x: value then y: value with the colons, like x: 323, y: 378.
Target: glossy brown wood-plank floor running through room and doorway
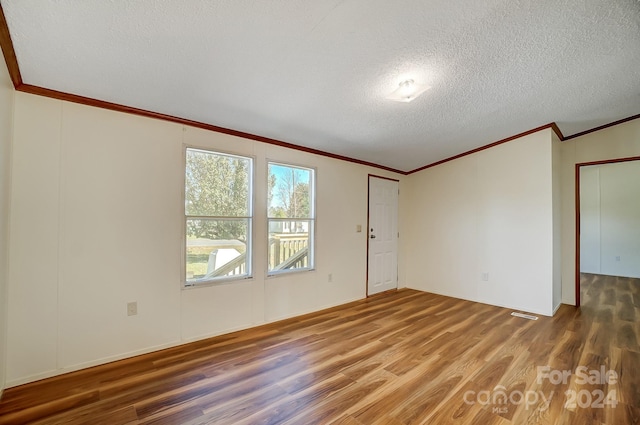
x: 400, y: 358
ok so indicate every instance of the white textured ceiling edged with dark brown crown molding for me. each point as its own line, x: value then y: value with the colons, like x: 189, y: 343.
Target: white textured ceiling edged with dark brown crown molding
x: 316, y: 73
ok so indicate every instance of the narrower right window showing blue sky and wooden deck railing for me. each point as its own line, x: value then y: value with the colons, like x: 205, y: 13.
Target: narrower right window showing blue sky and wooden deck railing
x: 291, y: 212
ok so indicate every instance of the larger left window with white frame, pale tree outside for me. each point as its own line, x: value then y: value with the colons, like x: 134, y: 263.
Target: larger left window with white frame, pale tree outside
x: 218, y: 216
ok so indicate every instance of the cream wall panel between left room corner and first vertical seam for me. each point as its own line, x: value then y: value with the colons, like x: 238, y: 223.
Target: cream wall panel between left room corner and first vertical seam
x: 33, y: 281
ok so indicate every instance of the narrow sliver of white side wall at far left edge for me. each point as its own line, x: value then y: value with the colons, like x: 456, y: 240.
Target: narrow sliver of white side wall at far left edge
x: 6, y: 126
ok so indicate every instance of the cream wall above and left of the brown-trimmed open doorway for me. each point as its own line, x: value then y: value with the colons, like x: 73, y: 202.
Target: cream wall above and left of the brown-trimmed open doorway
x: 620, y: 141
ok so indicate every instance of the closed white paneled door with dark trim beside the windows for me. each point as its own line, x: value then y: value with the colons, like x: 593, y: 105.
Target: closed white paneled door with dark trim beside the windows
x: 383, y: 235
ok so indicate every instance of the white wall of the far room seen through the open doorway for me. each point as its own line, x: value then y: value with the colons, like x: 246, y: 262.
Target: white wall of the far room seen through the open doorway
x: 610, y: 219
